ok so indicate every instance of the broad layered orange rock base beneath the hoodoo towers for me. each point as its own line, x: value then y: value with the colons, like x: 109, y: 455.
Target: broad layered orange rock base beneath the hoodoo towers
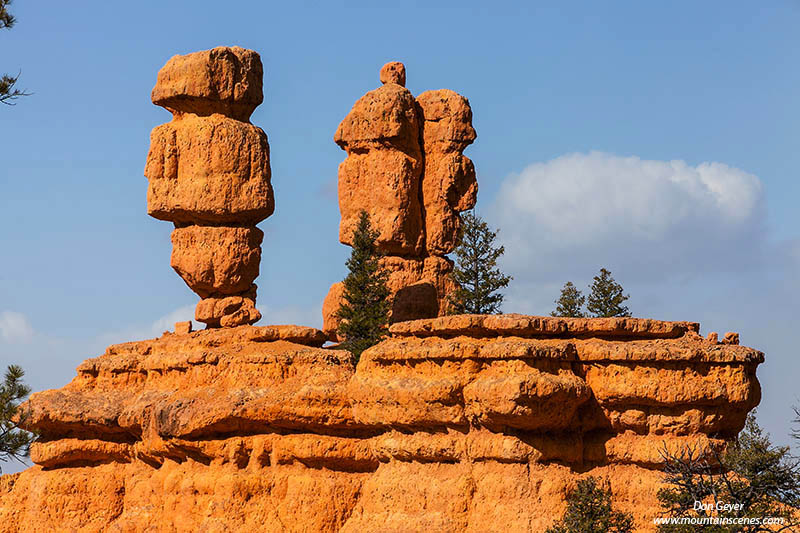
x: 451, y: 424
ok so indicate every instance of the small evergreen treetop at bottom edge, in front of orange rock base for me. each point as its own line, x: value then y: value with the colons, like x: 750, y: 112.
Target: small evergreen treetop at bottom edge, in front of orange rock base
x: 589, y: 510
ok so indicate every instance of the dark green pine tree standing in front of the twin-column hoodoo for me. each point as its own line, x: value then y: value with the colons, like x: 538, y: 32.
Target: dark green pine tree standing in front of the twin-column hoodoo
x: 364, y: 312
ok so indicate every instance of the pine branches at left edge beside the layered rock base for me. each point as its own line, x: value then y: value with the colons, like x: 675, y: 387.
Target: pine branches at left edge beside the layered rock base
x: 14, y: 442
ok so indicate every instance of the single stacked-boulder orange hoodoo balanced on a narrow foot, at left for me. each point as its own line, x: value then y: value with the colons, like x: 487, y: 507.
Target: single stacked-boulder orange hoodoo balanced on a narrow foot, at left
x: 208, y: 172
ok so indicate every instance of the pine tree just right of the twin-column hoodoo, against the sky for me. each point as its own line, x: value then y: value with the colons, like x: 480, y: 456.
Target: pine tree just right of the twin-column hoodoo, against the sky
x: 476, y: 274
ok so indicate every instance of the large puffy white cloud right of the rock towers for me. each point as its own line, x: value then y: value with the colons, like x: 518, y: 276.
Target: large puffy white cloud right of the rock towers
x: 645, y: 219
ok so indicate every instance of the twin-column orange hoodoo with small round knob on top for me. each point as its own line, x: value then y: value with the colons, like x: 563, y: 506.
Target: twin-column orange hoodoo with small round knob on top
x: 405, y: 167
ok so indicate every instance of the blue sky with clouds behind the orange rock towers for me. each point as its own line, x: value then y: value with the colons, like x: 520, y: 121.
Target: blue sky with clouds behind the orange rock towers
x: 659, y: 140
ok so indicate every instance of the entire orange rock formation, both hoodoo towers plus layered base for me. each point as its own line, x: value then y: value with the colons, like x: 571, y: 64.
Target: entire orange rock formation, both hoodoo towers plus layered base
x: 468, y: 423
